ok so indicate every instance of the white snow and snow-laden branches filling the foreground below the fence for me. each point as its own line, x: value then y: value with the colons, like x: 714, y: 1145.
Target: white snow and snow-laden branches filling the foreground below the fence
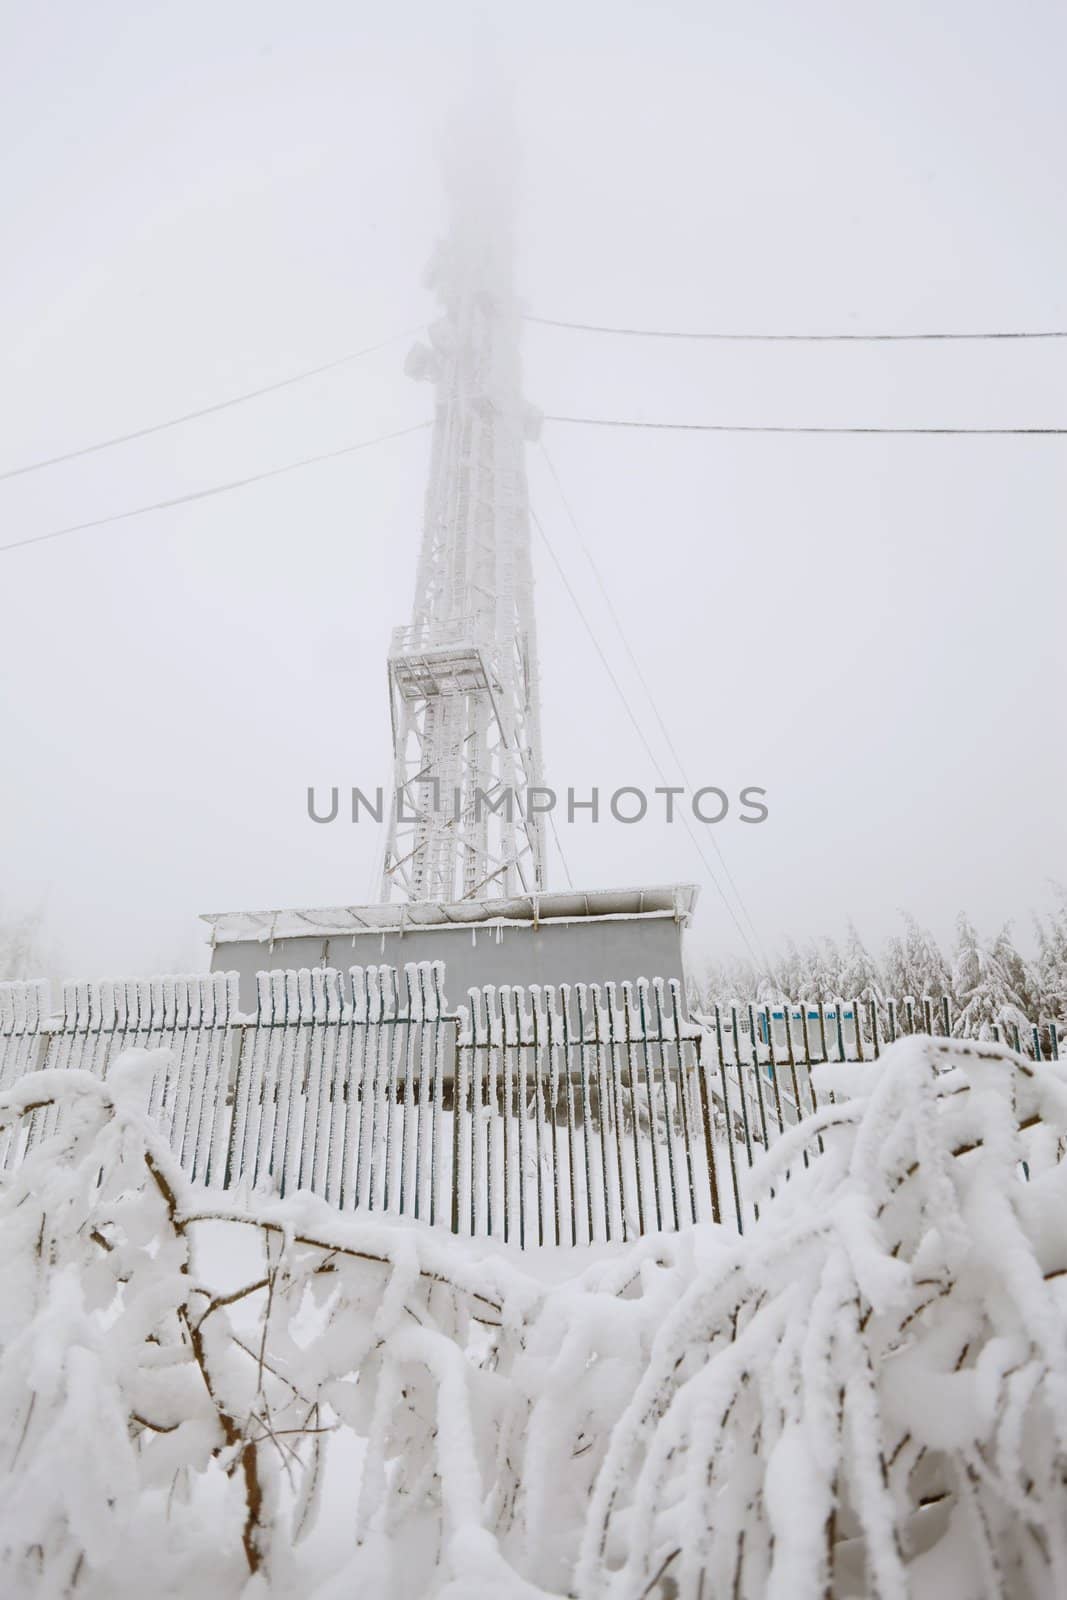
x: 231, y: 1396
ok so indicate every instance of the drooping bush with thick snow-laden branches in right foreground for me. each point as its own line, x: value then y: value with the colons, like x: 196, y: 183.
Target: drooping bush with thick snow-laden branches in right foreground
x: 839, y: 1412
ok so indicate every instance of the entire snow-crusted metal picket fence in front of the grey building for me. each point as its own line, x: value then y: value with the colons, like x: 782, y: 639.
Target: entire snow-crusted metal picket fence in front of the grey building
x: 538, y: 1116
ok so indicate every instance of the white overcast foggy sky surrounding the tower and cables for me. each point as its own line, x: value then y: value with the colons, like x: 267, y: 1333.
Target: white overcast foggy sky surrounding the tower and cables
x: 204, y: 198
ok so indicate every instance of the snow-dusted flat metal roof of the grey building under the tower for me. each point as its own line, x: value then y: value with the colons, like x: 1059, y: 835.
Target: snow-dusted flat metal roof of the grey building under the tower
x: 674, y: 900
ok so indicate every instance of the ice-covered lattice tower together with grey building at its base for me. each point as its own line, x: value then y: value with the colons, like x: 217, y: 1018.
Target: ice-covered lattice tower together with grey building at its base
x: 465, y: 860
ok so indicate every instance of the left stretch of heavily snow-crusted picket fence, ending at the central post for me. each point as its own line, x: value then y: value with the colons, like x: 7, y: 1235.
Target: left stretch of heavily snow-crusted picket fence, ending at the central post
x: 334, y: 1086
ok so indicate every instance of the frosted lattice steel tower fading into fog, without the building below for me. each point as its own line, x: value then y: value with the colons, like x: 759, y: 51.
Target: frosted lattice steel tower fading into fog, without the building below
x: 463, y: 678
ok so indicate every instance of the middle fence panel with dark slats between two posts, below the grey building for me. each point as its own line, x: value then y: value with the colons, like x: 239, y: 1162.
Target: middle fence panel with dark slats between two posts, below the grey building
x: 583, y: 1114
